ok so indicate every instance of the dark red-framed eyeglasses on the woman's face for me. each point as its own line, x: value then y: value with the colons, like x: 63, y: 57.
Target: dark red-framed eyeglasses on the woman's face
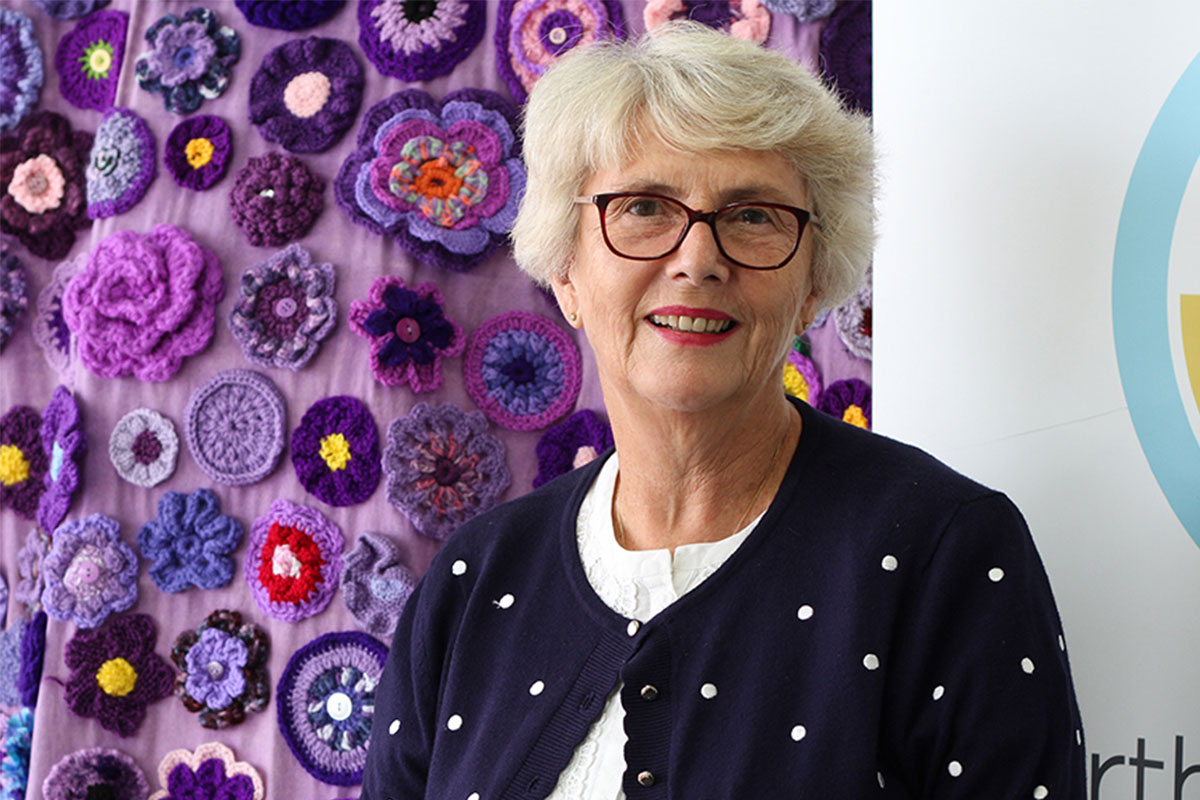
x: 646, y: 227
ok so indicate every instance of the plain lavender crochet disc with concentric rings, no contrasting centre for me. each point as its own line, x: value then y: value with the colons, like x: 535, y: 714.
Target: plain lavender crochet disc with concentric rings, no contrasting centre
x: 235, y: 425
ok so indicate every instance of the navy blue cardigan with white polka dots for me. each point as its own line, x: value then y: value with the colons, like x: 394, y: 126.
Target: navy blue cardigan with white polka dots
x: 886, y: 631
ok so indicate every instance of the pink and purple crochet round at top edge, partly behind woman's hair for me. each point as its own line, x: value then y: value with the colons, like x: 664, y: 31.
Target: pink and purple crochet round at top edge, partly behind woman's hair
x: 531, y: 35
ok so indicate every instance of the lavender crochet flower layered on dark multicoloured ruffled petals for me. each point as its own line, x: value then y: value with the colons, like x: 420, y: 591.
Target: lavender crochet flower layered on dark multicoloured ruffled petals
x: 223, y: 670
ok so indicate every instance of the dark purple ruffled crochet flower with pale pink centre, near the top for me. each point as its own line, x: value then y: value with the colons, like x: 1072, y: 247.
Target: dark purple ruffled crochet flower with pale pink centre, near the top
x: 307, y: 94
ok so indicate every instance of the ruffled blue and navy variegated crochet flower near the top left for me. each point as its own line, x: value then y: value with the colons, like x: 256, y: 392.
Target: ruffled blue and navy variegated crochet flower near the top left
x: 190, y: 59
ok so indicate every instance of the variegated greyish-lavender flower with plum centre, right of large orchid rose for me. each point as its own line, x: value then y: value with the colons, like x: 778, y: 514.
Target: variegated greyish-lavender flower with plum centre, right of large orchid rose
x: 286, y: 309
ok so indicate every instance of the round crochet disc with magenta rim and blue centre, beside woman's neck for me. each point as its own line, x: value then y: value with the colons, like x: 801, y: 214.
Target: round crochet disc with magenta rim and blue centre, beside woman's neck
x: 523, y: 370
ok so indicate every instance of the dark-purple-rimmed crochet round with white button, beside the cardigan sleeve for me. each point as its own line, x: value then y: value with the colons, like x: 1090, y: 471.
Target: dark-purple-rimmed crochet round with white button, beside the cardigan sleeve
x: 326, y: 703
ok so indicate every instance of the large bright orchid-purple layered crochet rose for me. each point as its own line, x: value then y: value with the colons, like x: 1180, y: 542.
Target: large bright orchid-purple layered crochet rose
x: 145, y: 303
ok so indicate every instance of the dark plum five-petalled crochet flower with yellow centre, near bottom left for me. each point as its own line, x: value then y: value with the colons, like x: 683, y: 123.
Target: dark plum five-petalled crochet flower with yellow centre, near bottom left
x: 116, y: 673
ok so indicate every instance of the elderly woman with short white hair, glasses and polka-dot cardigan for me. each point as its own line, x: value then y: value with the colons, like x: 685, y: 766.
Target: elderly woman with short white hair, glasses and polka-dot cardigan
x: 748, y: 599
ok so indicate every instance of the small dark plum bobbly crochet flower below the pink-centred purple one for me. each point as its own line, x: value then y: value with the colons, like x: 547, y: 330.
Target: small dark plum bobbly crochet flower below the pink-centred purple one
x: 277, y: 200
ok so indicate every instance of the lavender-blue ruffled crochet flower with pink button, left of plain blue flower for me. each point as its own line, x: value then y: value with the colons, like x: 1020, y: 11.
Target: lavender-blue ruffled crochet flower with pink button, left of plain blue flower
x: 89, y: 573
